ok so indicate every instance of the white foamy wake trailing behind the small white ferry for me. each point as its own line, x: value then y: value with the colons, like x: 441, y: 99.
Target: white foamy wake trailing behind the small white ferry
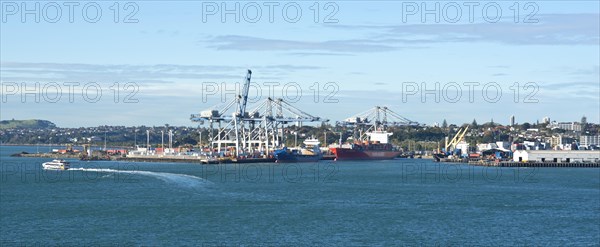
x: 182, y: 180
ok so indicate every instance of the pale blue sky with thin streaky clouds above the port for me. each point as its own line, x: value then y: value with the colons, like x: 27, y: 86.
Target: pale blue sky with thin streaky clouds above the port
x: 156, y: 62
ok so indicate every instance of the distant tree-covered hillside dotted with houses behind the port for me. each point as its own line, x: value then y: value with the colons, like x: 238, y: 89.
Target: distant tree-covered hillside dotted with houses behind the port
x: 406, y: 137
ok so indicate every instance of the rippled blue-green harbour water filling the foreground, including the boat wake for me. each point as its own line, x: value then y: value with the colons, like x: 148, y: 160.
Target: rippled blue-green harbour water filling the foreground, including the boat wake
x: 395, y: 202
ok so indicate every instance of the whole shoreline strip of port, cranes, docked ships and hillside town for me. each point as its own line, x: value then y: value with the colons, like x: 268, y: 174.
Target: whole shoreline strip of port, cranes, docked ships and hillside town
x: 275, y: 130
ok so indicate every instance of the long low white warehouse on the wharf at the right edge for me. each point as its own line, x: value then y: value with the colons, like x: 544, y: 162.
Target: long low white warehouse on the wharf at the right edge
x: 556, y: 156
